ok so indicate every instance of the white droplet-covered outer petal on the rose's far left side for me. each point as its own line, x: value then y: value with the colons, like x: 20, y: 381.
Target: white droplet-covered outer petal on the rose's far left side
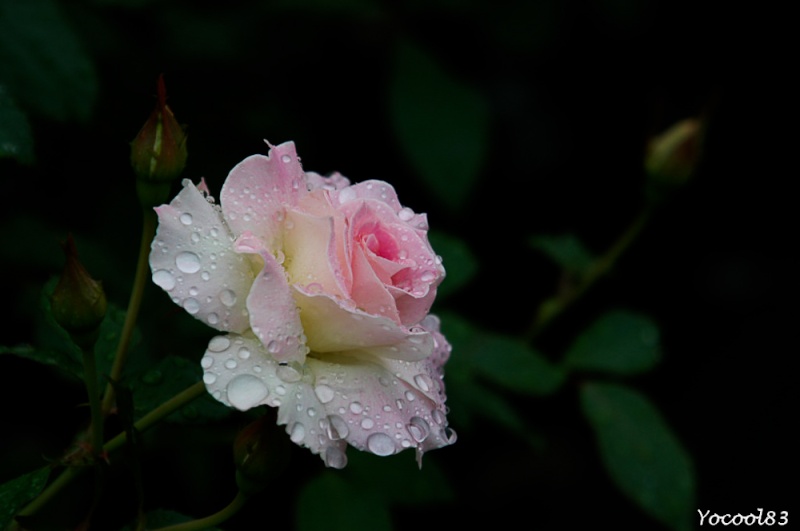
x: 192, y: 259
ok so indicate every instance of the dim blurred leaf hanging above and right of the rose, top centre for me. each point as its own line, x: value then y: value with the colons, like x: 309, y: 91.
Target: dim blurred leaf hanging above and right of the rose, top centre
x: 441, y: 123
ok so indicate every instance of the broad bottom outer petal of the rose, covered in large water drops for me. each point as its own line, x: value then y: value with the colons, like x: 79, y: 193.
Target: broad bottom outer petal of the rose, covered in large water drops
x: 381, y: 407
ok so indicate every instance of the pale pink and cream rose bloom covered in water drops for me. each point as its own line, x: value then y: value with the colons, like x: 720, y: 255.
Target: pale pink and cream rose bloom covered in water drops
x: 324, y: 289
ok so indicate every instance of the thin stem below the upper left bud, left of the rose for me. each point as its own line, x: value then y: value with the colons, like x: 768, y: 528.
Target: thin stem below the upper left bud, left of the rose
x: 139, y: 282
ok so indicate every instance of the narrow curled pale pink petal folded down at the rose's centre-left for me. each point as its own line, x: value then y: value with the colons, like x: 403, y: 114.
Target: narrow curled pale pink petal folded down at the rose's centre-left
x: 273, y: 313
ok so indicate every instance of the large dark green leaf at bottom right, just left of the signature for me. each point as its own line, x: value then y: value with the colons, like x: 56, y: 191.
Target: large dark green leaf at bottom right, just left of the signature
x: 641, y: 453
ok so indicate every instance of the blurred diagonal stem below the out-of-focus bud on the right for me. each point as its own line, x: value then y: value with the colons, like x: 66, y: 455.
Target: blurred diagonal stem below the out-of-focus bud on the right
x: 550, y: 309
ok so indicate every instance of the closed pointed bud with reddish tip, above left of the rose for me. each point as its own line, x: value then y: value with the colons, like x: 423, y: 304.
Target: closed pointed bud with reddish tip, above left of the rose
x: 158, y: 153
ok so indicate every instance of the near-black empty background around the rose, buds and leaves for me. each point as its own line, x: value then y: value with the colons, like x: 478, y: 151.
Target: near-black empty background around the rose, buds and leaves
x: 575, y: 89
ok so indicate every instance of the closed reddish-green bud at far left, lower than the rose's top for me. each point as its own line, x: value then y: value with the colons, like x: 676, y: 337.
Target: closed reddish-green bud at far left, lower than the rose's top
x: 78, y: 301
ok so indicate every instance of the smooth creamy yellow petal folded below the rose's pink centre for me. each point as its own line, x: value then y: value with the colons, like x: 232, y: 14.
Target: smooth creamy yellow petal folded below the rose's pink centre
x: 331, y: 326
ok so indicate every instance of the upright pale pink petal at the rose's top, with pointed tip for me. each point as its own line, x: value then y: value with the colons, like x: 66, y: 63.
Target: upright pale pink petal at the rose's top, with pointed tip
x: 257, y: 190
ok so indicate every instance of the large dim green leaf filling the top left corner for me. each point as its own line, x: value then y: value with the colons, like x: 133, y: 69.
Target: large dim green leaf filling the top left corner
x: 42, y: 63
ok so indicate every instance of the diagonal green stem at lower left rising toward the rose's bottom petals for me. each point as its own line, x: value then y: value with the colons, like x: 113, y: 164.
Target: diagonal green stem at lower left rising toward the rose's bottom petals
x: 66, y: 477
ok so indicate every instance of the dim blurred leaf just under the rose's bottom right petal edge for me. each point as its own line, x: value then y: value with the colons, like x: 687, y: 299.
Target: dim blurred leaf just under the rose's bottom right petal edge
x: 409, y: 484
